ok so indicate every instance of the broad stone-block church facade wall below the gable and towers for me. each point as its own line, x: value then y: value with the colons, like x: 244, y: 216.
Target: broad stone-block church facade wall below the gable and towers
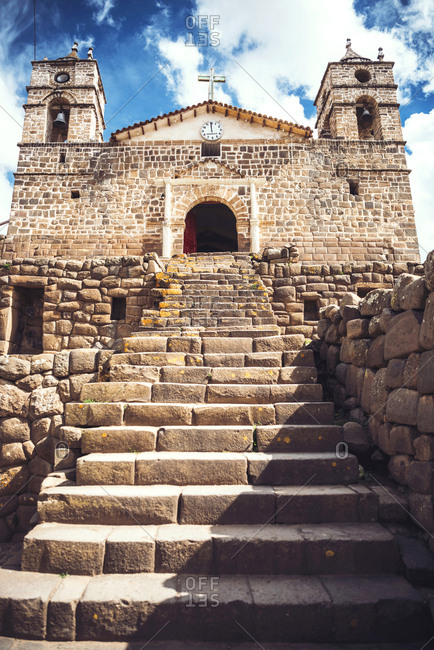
x: 109, y: 199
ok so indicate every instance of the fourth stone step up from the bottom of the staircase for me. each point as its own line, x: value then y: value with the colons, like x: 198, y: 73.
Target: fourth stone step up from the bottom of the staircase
x: 215, y: 468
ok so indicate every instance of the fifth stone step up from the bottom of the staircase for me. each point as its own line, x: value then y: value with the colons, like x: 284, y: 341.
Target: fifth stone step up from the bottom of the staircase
x: 297, y: 438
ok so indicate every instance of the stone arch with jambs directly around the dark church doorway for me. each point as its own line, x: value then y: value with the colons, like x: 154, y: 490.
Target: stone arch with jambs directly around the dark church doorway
x: 185, y: 200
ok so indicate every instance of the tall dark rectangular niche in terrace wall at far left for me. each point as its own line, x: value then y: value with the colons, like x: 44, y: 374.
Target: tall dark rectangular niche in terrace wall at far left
x: 26, y: 320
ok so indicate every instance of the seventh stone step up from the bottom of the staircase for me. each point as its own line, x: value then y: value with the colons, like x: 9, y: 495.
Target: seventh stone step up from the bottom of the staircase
x: 219, y: 393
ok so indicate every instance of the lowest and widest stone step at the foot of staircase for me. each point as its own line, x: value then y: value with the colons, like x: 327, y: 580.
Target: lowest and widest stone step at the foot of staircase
x: 208, y: 608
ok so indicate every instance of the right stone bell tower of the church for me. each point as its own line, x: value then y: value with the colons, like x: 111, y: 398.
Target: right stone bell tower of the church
x: 357, y: 99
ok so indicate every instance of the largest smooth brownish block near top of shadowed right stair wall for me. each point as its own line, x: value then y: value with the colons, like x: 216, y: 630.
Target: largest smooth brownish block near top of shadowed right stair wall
x: 402, y: 335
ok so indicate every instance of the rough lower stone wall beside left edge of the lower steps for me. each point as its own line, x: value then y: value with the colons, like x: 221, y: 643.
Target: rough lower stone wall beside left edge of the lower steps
x: 33, y: 392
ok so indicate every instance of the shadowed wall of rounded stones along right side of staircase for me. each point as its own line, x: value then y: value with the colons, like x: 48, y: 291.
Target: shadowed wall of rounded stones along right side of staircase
x: 379, y: 356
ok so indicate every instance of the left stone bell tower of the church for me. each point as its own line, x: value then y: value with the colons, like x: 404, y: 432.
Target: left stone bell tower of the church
x: 65, y: 100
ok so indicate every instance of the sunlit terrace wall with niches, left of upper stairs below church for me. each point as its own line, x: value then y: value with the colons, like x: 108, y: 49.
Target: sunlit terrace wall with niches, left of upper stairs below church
x: 77, y: 297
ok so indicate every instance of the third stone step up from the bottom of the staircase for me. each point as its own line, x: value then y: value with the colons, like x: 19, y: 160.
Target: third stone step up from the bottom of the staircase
x: 207, y: 504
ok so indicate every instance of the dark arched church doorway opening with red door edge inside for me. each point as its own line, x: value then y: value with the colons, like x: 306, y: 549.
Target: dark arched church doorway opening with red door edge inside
x: 210, y: 227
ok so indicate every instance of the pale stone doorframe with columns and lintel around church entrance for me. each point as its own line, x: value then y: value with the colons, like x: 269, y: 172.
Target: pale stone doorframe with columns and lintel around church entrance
x: 181, y: 195
